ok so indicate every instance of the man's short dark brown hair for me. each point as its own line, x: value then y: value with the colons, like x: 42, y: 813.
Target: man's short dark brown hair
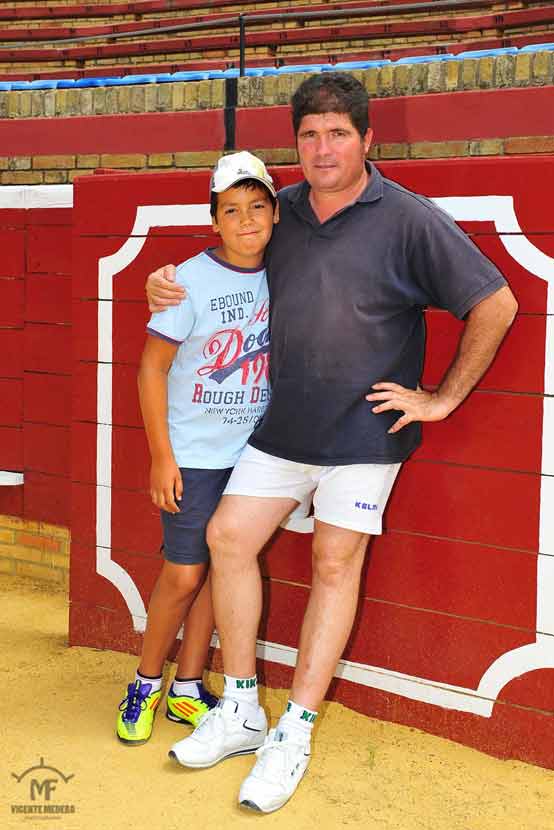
x: 331, y: 92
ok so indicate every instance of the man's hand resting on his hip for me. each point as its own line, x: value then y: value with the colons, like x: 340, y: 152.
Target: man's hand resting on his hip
x: 416, y: 404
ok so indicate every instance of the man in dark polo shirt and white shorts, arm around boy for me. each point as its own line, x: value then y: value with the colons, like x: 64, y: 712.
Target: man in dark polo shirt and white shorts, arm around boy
x: 351, y: 266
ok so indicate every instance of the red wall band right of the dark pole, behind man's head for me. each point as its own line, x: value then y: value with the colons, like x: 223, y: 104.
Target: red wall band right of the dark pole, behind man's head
x: 497, y: 113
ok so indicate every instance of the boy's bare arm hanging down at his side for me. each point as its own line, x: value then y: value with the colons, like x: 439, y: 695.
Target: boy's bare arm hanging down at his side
x: 166, y: 486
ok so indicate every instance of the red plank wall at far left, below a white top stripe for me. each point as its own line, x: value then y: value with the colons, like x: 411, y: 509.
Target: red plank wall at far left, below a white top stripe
x: 35, y: 361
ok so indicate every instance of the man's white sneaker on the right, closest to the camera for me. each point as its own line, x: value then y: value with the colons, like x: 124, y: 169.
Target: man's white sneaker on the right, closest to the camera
x: 282, y: 761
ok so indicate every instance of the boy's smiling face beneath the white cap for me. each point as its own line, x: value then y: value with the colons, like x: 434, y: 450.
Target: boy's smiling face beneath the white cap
x: 244, y: 219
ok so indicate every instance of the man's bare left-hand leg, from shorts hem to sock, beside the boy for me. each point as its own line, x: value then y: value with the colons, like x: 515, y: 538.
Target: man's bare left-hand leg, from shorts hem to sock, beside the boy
x: 237, y: 532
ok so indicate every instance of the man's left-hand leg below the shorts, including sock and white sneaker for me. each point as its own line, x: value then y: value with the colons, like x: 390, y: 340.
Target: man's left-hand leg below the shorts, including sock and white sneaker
x: 237, y: 532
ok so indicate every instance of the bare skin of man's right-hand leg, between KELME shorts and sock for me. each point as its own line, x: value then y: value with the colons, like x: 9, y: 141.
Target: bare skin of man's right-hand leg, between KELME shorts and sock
x: 338, y: 556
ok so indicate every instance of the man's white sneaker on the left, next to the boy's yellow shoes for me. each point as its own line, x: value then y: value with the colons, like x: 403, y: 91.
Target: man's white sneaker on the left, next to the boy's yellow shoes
x: 223, y: 732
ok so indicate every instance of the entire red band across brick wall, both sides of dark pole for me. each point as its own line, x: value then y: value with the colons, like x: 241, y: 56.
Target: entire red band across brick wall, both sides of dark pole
x: 441, y: 117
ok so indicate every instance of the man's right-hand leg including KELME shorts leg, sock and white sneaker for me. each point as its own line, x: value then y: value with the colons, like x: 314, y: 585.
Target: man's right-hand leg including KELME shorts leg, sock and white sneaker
x: 348, y: 504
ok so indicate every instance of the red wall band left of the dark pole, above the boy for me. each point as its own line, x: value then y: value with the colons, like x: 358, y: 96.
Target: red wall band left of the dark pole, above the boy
x: 135, y: 133
